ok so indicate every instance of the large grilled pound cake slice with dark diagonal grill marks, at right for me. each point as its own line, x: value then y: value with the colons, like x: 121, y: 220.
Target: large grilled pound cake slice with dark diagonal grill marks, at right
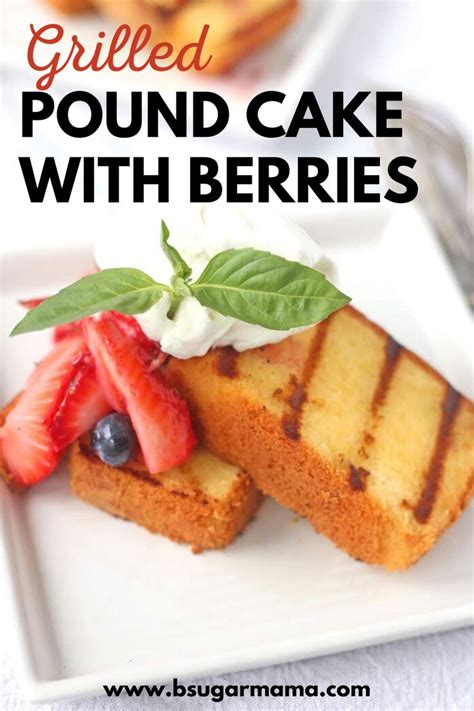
x: 344, y: 426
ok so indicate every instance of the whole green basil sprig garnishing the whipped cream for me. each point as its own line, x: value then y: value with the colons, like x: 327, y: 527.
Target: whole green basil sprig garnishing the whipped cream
x: 247, y: 284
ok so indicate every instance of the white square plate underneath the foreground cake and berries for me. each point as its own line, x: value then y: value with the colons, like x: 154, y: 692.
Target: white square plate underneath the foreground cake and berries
x: 97, y: 600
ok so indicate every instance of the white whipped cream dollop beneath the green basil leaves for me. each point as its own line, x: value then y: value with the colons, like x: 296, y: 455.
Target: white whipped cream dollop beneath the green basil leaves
x: 199, y: 233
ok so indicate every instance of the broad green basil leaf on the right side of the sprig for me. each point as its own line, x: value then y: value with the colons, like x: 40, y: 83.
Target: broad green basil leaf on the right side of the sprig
x: 266, y: 290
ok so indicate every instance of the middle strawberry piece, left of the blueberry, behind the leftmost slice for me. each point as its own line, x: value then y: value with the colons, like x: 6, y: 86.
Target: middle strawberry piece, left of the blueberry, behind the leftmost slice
x: 82, y: 404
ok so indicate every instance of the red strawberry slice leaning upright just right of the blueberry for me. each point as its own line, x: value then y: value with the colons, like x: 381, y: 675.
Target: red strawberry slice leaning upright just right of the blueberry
x: 159, y: 415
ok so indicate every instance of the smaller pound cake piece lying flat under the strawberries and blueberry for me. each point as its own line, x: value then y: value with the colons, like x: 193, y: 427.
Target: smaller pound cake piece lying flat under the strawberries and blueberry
x: 204, y: 502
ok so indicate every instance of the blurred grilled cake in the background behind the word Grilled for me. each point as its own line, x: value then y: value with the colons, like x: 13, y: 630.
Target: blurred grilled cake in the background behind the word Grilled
x: 236, y: 27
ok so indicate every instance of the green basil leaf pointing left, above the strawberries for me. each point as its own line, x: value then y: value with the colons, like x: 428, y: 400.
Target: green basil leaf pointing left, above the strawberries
x: 129, y: 291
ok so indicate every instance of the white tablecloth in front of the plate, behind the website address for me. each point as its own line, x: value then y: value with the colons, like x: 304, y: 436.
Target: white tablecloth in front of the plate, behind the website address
x: 432, y: 673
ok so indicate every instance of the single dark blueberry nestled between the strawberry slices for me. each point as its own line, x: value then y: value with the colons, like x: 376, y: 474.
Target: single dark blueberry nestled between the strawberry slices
x: 113, y: 439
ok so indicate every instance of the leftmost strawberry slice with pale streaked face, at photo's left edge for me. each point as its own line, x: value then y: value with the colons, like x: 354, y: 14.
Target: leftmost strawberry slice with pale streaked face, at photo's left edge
x: 27, y: 445
